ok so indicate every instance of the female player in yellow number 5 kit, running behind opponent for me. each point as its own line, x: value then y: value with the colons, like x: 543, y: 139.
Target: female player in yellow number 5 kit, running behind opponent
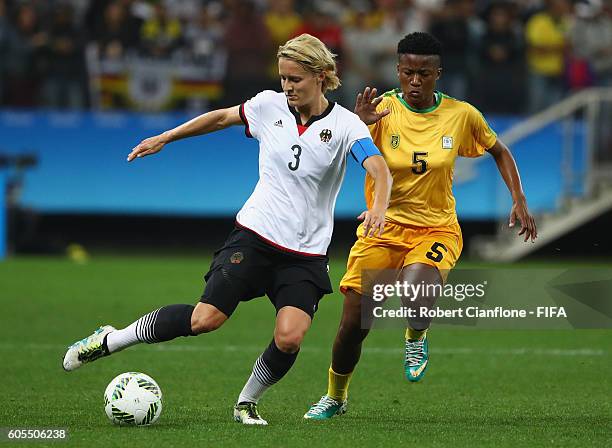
x: 420, y: 133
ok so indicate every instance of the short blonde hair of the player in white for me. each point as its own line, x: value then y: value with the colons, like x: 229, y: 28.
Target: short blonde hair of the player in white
x: 314, y: 56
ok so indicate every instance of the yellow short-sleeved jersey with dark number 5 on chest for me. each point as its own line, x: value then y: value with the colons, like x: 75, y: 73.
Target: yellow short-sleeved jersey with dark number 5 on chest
x: 420, y: 148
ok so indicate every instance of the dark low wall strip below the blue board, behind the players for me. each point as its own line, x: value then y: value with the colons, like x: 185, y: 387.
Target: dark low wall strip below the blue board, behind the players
x: 50, y: 233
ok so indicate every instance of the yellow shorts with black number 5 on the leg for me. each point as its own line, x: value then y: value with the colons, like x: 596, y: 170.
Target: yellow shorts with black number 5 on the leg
x: 399, y: 246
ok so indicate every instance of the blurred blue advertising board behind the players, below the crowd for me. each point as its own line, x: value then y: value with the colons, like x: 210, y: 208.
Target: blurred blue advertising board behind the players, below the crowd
x: 82, y: 168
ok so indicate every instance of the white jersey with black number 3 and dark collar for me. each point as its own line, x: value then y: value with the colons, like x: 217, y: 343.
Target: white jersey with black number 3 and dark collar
x: 301, y: 168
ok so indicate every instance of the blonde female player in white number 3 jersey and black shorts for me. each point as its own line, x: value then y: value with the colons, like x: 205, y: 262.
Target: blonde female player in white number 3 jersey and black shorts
x: 278, y: 247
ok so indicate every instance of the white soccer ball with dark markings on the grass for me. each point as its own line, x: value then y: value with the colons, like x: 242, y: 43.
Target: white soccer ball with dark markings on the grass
x: 133, y: 398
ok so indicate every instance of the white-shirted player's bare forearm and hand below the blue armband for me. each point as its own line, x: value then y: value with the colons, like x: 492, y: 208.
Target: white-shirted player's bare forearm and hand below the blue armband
x: 374, y: 218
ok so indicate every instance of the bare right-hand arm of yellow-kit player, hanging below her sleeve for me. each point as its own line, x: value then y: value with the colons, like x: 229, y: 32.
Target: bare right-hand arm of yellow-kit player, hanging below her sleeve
x: 507, y: 167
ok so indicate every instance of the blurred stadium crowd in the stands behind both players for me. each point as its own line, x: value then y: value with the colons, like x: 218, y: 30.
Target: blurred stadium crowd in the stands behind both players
x: 508, y: 57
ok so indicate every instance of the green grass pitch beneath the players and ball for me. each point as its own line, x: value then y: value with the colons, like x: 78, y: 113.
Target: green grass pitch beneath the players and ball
x: 483, y: 388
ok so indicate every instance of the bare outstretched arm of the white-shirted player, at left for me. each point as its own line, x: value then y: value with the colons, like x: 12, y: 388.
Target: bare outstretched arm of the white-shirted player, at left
x: 203, y: 124
